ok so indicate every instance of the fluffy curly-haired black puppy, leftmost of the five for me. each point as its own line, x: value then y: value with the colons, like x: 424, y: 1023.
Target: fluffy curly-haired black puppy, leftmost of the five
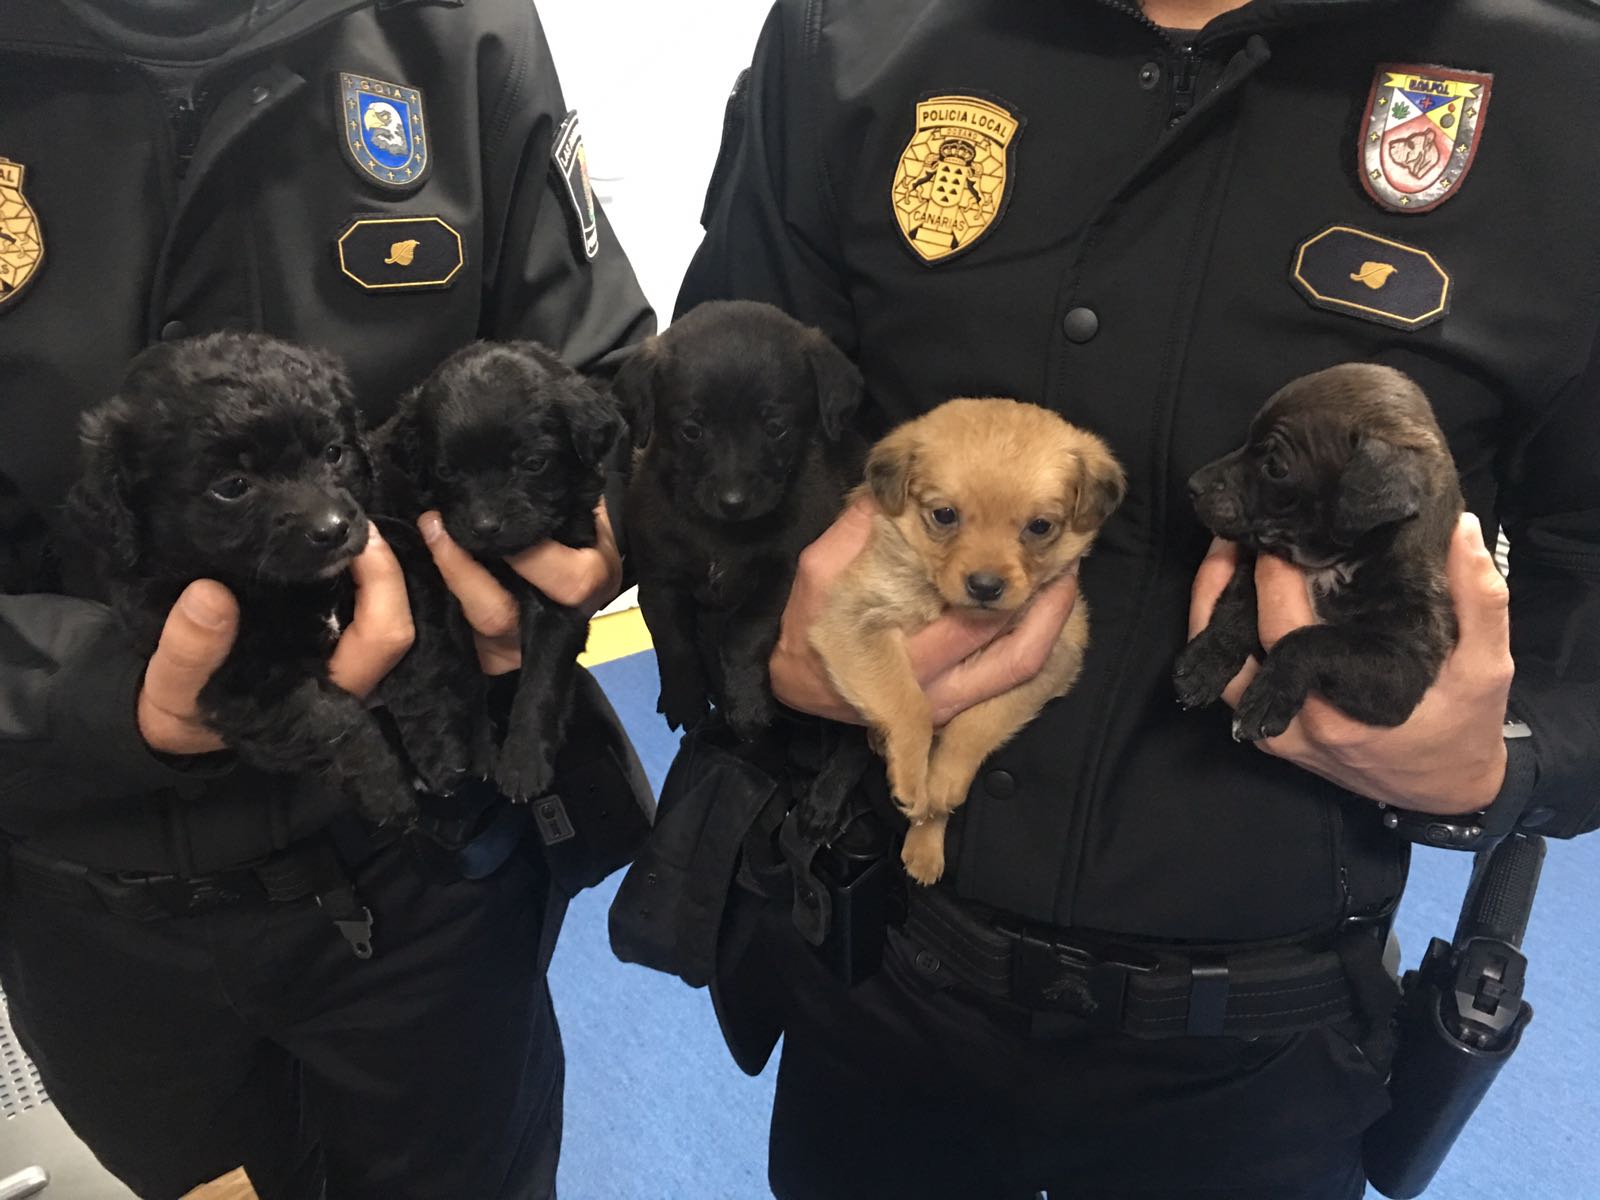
x: 241, y: 458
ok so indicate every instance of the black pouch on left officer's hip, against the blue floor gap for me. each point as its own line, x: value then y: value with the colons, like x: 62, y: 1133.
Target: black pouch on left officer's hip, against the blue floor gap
x: 601, y: 810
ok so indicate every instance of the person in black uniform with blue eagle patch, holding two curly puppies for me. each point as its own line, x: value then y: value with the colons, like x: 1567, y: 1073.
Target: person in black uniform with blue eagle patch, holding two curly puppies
x: 388, y: 180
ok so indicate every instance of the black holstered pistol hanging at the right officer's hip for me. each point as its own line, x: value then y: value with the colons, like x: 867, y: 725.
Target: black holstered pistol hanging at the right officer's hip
x: 1462, y: 1018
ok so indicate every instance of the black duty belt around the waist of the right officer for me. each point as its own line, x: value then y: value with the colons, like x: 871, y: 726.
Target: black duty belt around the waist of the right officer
x: 1142, y: 991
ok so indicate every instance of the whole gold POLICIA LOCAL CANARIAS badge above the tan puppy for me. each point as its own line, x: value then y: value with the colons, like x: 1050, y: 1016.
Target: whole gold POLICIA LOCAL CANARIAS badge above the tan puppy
x: 951, y: 182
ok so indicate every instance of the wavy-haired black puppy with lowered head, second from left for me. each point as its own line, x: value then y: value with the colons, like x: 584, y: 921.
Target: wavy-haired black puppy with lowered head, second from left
x: 510, y: 444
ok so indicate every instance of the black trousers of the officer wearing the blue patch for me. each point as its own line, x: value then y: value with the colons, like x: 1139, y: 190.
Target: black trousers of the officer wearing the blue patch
x: 185, y: 1049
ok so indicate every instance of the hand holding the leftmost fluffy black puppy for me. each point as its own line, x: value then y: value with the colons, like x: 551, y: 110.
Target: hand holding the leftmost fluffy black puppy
x: 202, y: 626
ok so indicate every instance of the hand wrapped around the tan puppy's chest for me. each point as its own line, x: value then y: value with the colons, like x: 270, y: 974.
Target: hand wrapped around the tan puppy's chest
x: 959, y: 662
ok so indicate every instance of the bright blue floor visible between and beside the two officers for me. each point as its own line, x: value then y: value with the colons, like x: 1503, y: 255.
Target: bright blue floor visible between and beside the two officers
x: 657, y: 1111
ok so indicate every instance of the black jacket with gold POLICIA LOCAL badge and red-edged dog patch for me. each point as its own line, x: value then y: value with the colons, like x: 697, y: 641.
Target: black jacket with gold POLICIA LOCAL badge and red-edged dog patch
x: 1055, y: 202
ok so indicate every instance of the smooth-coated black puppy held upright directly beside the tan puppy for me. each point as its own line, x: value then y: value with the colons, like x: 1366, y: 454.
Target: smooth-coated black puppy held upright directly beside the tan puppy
x: 743, y: 417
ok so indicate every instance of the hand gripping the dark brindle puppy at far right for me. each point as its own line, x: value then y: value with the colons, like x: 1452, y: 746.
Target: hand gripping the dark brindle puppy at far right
x: 1450, y: 756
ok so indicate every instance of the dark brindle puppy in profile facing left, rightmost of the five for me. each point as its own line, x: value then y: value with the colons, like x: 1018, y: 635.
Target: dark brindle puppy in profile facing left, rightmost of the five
x: 1348, y: 476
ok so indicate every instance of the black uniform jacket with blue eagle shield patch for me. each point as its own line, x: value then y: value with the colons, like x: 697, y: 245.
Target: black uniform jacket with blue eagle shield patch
x: 161, y: 218
